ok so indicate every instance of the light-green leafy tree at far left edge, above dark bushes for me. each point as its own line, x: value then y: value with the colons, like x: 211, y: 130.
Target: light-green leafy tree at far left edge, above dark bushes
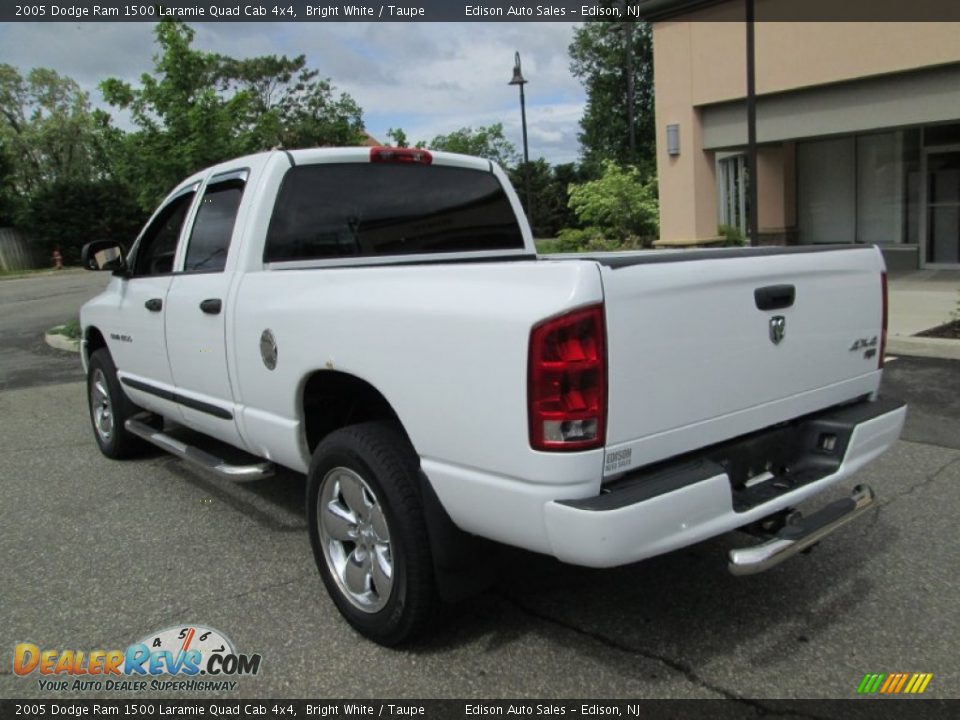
x: 47, y: 130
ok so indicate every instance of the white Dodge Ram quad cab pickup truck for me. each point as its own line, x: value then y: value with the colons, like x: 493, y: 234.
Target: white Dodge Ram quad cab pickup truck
x: 378, y: 319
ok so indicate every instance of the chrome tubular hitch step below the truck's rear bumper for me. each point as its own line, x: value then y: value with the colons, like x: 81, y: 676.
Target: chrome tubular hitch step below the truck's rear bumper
x: 798, y: 536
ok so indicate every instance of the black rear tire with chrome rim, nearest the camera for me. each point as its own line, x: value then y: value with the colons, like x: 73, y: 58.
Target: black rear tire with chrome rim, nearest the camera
x: 368, y: 532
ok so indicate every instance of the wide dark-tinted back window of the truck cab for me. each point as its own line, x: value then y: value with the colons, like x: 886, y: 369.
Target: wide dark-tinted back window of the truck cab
x: 366, y: 210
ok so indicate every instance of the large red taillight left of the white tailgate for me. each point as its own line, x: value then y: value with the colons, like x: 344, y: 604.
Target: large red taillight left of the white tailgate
x: 567, y: 381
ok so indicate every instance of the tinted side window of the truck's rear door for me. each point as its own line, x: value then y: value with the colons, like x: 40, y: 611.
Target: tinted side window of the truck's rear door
x: 213, y: 228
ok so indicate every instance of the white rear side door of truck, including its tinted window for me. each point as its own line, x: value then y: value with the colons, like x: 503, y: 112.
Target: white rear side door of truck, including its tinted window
x: 197, y: 311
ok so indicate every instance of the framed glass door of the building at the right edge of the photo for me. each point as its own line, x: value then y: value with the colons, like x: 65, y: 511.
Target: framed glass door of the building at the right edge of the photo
x: 942, y: 212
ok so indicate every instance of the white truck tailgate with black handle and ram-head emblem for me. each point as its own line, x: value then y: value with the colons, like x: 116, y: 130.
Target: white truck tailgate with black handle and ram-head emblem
x: 704, y: 346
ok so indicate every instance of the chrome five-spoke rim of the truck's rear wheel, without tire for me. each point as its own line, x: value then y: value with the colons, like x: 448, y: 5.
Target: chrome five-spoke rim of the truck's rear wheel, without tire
x: 355, y: 539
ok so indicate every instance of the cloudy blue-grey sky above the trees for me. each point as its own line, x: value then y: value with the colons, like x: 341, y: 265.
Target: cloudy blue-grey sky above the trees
x: 428, y: 78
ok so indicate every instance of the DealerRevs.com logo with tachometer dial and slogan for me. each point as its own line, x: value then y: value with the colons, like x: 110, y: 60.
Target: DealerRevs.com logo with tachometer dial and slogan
x: 179, y: 658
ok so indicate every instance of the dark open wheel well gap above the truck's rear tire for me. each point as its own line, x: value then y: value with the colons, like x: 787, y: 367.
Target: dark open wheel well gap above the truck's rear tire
x: 332, y: 400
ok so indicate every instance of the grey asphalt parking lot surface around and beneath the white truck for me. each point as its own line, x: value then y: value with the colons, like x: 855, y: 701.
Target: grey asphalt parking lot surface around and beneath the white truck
x: 97, y: 554
